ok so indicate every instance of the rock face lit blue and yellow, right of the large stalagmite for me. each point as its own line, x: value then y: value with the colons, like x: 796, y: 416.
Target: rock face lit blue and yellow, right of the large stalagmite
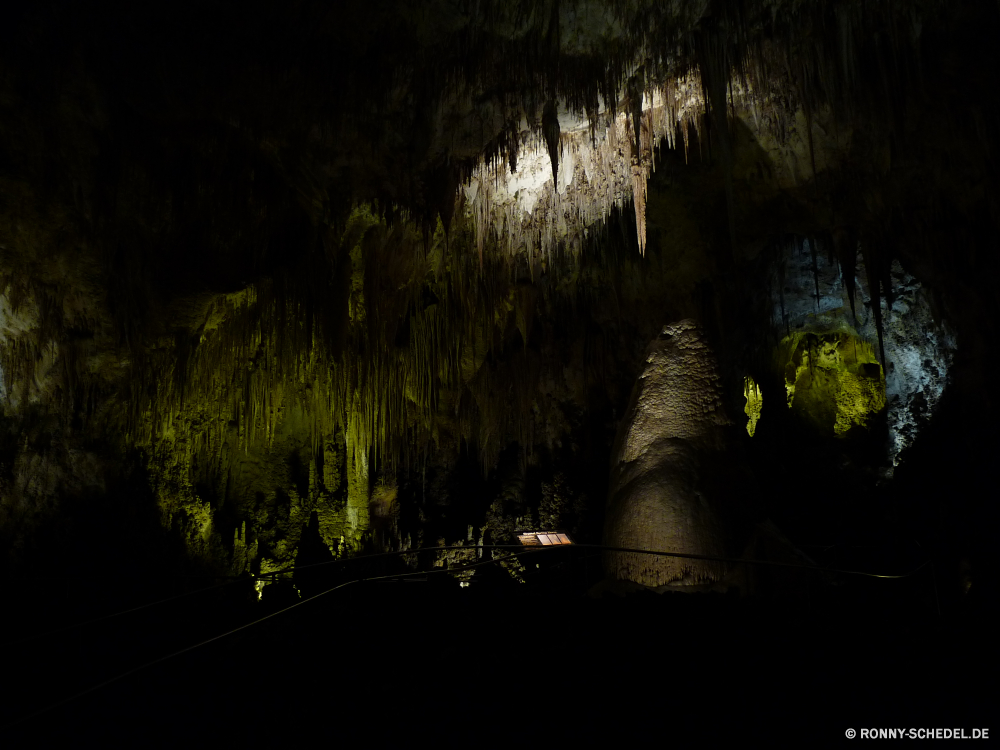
x: 814, y: 304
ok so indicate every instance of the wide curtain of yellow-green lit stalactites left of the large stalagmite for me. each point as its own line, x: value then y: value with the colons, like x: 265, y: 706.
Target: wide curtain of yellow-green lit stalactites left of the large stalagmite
x: 264, y: 357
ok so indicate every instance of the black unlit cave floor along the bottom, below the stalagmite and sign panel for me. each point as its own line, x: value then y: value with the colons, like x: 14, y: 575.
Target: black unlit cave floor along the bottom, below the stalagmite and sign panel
x: 384, y: 662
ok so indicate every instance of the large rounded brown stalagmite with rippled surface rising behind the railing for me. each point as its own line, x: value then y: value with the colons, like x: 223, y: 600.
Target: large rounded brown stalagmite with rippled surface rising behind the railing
x: 658, y: 497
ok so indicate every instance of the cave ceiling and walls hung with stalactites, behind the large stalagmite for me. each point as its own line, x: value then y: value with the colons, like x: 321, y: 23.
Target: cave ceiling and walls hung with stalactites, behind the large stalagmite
x: 305, y: 272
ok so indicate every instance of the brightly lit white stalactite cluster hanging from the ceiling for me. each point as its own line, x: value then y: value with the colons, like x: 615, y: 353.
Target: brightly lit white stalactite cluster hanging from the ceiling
x: 564, y: 182
